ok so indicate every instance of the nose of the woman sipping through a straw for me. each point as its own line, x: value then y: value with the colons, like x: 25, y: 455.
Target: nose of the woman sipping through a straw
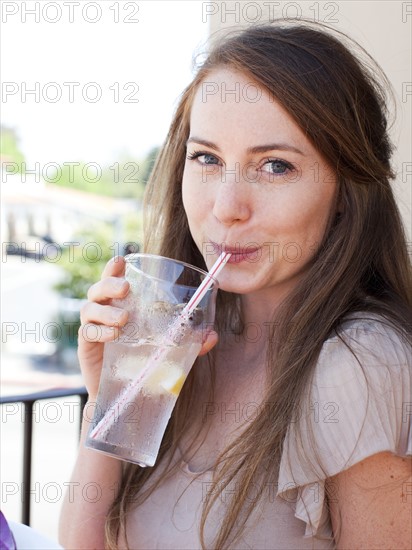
x: 232, y: 202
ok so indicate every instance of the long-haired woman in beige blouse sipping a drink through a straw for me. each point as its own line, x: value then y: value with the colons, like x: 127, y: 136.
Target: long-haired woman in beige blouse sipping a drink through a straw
x: 294, y: 430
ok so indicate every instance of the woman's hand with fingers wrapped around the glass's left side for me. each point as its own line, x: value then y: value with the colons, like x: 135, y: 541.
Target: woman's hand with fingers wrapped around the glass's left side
x: 100, y: 321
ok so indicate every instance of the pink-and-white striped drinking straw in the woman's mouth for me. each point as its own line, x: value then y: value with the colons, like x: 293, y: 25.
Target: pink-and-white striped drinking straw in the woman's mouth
x: 127, y: 395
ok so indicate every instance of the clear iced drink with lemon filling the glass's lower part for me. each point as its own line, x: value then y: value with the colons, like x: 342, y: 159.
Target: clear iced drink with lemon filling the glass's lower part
x: 137, y: 426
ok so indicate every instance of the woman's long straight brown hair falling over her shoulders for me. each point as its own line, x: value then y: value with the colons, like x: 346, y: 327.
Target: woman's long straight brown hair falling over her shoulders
x: 339, y: 100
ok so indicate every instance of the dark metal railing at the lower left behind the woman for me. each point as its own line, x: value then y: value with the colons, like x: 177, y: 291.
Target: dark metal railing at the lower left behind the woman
x: 28, y: 402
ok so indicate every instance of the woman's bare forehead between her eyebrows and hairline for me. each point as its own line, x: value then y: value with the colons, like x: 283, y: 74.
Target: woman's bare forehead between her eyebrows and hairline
x: 231, y: 102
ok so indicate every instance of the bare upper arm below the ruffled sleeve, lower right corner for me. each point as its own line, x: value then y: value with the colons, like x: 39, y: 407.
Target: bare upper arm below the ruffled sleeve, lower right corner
x: 370, y: 504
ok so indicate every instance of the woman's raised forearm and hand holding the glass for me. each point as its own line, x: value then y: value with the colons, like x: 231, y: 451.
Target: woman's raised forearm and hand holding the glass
x: 95, y: 477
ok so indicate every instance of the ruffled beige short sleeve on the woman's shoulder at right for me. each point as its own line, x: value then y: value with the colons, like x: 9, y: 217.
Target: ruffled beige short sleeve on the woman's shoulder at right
x: 359, y: 404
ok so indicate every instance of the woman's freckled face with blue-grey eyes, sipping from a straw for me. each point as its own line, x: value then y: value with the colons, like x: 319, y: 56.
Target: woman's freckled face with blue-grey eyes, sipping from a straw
x: 254, y: 185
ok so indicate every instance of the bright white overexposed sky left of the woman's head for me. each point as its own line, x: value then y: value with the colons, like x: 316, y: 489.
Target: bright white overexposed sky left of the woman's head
x: 105, y: 76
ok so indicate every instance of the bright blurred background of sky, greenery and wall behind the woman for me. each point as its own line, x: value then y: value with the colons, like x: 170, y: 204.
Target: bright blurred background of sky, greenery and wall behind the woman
x: 88, y: 92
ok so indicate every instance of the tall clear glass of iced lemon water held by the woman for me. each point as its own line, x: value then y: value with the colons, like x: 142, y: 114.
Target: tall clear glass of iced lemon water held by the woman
x: 146, y: 367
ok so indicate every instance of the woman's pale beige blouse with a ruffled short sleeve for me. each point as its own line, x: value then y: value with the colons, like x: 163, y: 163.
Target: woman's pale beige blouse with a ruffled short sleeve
x: 349, y: 422
